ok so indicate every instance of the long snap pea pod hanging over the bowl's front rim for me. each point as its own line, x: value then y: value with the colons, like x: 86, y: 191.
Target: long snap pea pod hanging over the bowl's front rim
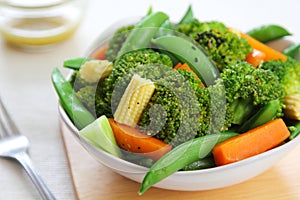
x: 181, y: 156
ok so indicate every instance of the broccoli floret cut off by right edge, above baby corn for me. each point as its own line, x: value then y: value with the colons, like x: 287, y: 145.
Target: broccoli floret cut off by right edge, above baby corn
x: 288, y: 73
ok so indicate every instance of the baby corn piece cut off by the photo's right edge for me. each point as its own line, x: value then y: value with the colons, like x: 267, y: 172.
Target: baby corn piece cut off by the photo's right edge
x: 292, y: 109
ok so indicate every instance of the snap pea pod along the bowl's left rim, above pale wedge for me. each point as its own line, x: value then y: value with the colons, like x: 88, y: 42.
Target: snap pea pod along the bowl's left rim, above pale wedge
x: 76, y: 111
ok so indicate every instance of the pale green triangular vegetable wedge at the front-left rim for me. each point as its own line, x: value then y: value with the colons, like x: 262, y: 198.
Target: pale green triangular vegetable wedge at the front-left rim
x: 100, y: 134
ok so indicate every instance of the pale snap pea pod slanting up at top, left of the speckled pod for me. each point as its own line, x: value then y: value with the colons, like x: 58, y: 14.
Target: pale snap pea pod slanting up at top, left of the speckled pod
x: 140, y: 37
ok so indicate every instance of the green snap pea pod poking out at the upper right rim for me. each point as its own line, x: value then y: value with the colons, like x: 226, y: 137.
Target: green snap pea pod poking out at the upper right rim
x: 267, y: 33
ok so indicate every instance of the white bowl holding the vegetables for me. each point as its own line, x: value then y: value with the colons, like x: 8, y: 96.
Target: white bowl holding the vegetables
x: 205, y: 179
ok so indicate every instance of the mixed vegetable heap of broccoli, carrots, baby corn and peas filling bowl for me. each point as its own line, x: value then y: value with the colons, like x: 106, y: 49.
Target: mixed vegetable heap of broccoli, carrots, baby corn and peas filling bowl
x: 184, y: 96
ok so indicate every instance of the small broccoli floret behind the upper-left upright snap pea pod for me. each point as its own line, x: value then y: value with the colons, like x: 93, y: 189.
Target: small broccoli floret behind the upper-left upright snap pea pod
x: 117, y: 41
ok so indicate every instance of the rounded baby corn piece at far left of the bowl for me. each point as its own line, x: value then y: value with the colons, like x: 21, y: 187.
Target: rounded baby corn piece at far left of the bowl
x: 94, y: 70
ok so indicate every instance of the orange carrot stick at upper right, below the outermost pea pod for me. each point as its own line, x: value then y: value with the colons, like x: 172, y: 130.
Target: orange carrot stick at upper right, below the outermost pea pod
x: 270, y: 53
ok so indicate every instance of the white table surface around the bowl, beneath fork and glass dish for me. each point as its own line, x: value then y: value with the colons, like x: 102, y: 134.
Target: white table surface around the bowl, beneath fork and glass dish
x: 26, y: 89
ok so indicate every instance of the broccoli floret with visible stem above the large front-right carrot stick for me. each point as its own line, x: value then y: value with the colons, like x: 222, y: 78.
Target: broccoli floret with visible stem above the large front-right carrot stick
x: 248, y: 88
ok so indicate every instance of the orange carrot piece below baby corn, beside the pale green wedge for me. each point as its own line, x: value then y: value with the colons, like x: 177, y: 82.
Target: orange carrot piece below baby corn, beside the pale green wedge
x: 133, y: 140
